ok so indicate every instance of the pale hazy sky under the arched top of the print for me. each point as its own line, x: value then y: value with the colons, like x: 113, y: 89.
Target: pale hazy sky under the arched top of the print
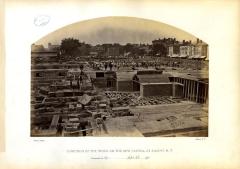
x: 116, y: 30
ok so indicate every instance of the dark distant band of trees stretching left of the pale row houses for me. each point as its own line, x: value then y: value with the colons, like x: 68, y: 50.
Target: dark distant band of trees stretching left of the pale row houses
x: 73, y: 47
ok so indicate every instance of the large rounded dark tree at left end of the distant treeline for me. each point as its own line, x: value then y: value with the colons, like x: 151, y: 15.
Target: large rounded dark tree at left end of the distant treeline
x: 69, y: 46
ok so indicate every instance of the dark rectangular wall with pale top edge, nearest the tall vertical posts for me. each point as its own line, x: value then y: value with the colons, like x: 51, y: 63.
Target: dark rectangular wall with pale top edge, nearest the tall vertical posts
x: 157, y: 89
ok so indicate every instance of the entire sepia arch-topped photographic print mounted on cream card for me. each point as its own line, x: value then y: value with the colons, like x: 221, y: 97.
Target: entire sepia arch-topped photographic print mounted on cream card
x: 119, y: 77
